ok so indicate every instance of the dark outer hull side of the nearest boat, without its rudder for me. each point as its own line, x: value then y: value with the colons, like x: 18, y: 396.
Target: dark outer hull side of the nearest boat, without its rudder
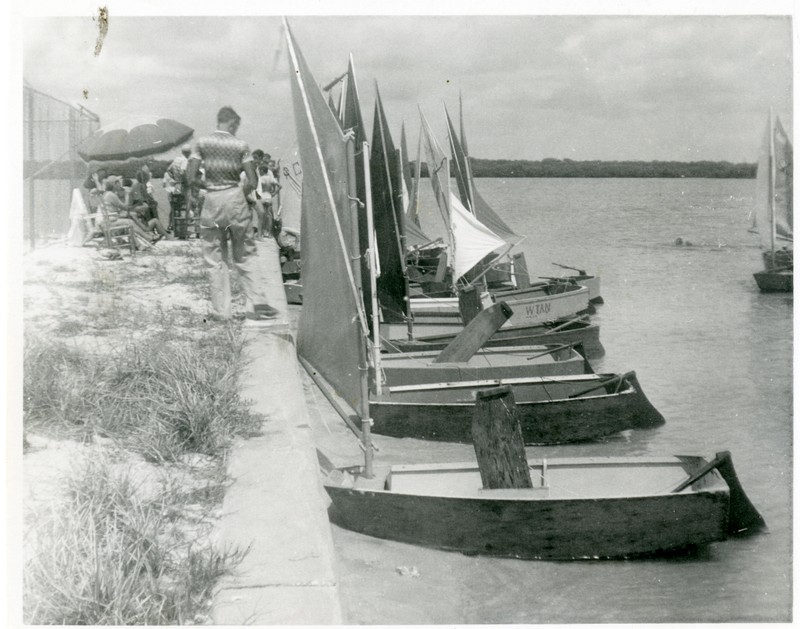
x: 519, y: 524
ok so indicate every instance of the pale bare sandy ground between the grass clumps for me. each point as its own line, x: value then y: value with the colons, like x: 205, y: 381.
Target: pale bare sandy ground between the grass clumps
x: 78, y: 296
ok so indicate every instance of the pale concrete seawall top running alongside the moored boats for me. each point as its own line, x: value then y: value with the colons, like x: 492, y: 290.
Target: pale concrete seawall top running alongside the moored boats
x: 276, y: 505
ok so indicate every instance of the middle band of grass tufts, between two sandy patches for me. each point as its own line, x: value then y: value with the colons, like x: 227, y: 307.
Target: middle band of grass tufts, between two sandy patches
x: 163, y: 397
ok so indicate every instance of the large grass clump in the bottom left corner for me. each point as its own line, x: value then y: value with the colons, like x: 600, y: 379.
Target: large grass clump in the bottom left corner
x: 110, y: 555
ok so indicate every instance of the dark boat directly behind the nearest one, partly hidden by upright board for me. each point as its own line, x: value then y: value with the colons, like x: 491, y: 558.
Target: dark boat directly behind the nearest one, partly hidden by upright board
x: 445, y: 414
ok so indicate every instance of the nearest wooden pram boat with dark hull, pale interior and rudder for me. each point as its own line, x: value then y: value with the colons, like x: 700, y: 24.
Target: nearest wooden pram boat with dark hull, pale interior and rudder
x: 581, y: 508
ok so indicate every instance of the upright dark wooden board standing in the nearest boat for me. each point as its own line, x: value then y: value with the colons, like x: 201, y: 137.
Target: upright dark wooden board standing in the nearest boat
x: 497, y: 438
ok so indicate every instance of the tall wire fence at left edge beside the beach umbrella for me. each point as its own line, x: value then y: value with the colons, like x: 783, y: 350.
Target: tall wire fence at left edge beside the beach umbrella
x: 53, y: 130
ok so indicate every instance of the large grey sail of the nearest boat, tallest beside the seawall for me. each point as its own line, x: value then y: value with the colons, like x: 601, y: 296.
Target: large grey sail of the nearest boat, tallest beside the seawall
x: 331, y: 335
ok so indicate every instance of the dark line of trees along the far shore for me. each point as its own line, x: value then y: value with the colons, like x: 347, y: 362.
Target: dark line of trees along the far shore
x: 504, y: 168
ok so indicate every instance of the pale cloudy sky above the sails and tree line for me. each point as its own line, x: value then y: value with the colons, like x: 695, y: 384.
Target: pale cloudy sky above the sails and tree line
x: 581, y: 86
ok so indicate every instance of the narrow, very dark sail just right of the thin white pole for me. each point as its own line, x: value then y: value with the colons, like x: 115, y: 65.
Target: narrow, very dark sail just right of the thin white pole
x: 388, y: 213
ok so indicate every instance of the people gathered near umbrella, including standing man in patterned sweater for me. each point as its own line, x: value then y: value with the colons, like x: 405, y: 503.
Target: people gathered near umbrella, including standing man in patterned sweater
x: 231, y: 188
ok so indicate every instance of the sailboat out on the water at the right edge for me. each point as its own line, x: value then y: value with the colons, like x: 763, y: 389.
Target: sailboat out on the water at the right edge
x: 773, y: 210
